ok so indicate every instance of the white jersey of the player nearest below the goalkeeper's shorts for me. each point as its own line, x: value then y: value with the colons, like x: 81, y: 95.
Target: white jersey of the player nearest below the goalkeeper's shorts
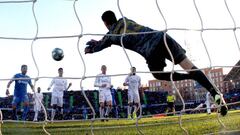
x: 134, y: 82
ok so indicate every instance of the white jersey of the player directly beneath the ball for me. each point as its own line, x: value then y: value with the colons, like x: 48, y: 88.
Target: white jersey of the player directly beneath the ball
x: 60, y: 85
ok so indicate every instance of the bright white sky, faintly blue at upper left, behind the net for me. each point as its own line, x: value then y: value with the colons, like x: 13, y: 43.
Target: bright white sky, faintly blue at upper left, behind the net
x: 57, y: 18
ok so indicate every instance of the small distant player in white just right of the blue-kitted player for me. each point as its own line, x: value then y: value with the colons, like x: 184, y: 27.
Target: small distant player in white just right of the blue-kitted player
x: 37, y: 105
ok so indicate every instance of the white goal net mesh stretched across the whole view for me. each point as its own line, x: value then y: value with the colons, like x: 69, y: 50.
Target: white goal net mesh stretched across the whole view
x: 201, y: 29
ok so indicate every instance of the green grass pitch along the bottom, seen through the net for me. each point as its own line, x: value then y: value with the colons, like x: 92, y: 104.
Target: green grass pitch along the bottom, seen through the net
x: 195, y: 124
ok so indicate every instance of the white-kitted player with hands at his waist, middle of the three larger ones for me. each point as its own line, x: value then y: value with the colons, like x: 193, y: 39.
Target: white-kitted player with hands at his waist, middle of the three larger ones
x: 103, y: 82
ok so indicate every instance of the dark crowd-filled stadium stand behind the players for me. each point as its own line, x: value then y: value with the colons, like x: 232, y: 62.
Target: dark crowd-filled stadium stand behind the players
x: 76, y: 107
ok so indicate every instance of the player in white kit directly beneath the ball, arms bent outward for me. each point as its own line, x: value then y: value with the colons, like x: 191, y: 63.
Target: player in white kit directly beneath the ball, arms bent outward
x: 60, y: 85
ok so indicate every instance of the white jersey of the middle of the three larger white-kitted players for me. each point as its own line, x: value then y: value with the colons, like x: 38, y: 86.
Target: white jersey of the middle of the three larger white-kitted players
x: 103, y: 79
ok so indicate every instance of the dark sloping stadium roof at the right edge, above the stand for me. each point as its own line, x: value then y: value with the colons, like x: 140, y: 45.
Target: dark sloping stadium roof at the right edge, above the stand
x: 234, y: 73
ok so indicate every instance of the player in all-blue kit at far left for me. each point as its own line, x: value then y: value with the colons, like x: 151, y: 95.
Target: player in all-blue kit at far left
x: 20, y: 92
